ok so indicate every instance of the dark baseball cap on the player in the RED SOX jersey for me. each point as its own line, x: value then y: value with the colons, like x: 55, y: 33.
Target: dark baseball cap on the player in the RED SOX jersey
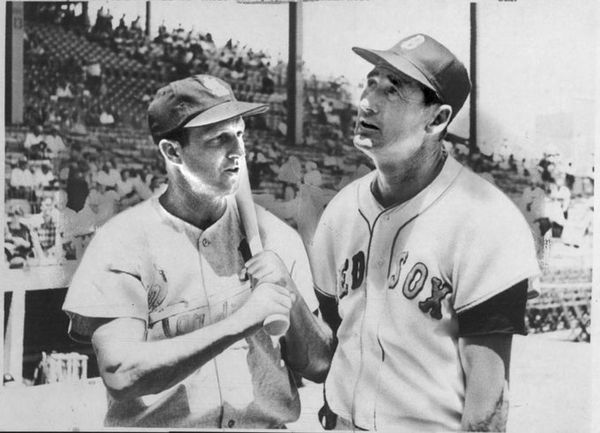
x: 430, y: 63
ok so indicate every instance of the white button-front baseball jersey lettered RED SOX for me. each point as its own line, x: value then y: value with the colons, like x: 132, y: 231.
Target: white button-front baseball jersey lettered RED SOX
x: 401, y: 275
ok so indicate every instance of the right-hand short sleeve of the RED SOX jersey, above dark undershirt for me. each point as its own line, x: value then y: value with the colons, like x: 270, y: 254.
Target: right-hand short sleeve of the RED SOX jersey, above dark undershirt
x: 495, y: 251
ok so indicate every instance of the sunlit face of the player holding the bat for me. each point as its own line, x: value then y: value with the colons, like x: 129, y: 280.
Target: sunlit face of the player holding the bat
x: 211, y: 159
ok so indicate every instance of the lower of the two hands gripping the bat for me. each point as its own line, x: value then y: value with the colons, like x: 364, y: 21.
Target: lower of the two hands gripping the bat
x: 265, y: 300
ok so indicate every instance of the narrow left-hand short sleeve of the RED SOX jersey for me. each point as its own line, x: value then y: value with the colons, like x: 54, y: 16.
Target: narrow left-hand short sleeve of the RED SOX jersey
x: 321, y: 257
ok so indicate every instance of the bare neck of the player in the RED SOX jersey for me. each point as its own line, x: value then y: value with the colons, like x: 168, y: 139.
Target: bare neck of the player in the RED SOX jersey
x: 399, y: 181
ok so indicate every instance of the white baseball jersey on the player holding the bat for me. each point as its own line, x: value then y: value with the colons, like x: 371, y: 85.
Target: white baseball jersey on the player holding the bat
x: 145, y: 263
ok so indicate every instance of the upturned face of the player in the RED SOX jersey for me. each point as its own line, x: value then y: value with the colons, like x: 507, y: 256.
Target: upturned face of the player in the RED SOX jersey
x: 392, y: 115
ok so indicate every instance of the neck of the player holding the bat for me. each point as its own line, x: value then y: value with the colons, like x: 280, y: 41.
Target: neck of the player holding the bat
x: 200, y: 210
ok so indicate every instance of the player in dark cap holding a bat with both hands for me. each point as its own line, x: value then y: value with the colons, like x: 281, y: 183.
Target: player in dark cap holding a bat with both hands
x: 163, y: 291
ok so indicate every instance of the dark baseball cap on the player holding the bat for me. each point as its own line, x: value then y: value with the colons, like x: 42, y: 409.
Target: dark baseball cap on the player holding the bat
x: 195, y: 101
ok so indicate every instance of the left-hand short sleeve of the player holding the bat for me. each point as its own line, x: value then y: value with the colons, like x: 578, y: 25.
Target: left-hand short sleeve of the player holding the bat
x: 106, y: 284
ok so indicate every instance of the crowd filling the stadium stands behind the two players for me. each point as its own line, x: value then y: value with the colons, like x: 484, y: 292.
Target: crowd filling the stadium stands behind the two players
x: 83, y: 154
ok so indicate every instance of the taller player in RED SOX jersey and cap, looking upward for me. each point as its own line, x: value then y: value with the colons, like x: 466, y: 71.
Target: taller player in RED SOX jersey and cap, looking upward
x: 424, y: 298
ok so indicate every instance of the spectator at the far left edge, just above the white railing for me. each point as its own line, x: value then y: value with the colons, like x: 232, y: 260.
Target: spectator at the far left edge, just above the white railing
x: 17, y: 239
